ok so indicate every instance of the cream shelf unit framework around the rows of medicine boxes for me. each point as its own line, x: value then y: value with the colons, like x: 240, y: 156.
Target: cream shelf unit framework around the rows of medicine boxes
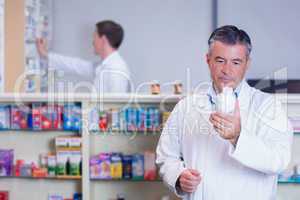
x: 96, y: 142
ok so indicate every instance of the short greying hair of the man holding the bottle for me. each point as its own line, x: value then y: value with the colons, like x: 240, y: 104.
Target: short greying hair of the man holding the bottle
x: 231, y: 35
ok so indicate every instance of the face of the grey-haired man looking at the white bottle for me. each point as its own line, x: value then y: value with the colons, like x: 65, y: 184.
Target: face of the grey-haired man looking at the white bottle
x: 227, y: 64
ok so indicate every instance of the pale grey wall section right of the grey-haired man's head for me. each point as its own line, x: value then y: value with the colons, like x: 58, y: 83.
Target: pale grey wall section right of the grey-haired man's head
x: 273, y: 26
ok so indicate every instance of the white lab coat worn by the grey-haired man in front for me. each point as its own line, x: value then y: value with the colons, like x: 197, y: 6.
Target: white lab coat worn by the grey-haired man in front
x: 249, y: 170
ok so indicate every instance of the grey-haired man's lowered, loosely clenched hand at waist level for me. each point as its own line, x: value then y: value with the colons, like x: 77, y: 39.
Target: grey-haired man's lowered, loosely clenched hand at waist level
x: 189, y: 179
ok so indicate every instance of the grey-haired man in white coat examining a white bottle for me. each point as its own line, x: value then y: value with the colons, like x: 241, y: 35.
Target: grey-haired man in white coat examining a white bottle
x: 209, y: 155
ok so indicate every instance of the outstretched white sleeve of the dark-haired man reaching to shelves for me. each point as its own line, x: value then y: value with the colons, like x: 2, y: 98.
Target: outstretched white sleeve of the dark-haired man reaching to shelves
x: 76, y: 66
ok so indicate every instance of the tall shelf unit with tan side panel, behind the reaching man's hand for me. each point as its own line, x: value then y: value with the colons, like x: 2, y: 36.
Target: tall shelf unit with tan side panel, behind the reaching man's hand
x: 24, y: 21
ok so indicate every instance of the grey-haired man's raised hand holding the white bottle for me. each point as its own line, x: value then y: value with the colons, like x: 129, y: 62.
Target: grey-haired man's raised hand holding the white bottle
x: 228, y: 125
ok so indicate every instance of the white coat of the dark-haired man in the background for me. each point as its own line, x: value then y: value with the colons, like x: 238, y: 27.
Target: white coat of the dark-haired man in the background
x: 111, y: 76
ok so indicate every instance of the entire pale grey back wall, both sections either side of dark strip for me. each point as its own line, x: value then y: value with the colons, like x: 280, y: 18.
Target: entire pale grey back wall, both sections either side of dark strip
x: 164, y: 37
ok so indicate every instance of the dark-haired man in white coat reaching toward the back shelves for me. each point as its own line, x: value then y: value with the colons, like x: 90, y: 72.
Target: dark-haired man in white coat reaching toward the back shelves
x: 112, y: 75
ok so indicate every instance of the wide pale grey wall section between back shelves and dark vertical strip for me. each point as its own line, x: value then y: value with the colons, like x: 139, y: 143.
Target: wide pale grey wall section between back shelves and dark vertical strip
x: 162, y: 37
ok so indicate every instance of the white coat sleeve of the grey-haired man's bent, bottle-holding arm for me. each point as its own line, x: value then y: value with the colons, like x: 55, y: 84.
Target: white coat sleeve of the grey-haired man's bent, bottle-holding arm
x: 266, y: 146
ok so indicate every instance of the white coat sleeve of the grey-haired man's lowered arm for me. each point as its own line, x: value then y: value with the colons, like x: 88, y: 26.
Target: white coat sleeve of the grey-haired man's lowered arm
x: 169, y: 152
